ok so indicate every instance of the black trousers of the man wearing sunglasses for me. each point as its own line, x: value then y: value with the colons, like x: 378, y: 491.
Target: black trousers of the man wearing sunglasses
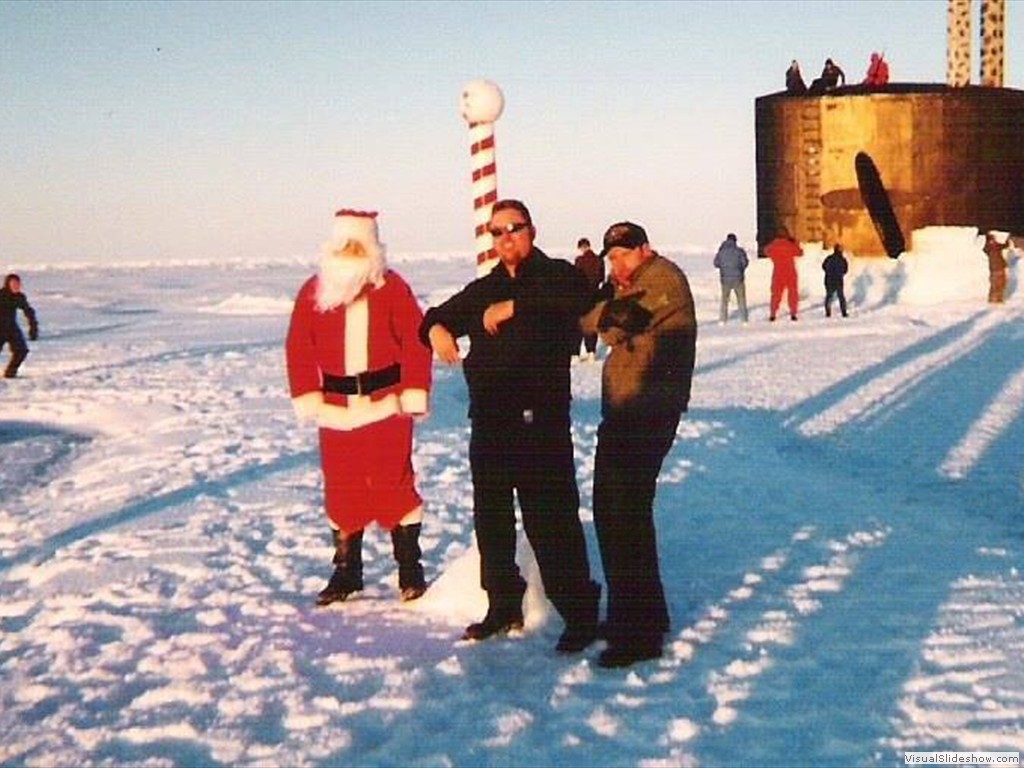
x: 535, y: 461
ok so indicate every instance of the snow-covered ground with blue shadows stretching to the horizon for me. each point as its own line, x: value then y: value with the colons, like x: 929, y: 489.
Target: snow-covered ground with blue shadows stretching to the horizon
x: 840, y: 522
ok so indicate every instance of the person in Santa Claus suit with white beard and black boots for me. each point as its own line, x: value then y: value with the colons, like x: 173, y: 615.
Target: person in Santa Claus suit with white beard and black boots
x: 358, y: 369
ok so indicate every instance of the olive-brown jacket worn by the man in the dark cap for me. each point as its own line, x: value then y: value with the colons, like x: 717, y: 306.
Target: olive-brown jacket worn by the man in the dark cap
x: 651, y: 372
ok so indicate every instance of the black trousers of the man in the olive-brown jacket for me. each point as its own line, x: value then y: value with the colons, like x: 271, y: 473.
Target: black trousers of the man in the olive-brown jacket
x: 630, y: 453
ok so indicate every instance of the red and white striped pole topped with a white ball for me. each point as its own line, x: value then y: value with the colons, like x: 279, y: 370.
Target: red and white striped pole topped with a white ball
x: 482, y: 105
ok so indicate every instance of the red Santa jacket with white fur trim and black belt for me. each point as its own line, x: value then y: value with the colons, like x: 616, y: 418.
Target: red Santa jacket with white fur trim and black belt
x: 372, y: 333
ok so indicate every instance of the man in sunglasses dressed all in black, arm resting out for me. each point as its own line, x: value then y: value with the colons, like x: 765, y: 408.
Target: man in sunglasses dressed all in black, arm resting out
x: 523, y: 321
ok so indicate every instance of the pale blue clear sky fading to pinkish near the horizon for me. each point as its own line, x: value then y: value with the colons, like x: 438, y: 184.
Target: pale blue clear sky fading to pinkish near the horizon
x: 223, y: 131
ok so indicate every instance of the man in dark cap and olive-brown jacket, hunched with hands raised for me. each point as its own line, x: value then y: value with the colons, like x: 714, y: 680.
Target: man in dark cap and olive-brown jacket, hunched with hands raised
x: 652, y: 328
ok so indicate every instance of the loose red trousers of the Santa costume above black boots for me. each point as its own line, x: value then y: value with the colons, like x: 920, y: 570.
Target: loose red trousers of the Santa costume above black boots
x: 368, y: 475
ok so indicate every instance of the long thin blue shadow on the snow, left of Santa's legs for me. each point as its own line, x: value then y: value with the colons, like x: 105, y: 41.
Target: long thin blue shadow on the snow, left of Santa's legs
x: 219, y: 488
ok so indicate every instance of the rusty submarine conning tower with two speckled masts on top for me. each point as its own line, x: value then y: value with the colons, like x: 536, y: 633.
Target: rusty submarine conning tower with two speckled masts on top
x: 867, y: 166
